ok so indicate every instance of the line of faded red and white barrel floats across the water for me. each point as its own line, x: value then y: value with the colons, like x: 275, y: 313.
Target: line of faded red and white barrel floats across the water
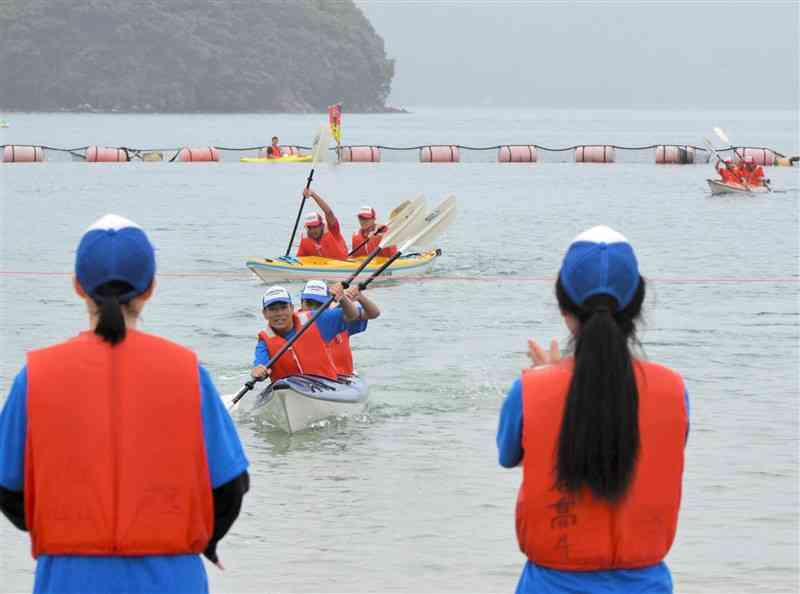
x: 667, y: 154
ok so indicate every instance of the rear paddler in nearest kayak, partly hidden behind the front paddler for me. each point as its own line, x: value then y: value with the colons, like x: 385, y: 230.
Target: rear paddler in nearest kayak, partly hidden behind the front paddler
x: 314, y: 294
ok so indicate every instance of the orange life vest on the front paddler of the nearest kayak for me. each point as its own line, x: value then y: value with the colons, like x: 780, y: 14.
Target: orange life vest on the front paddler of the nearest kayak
x: 308, y: 355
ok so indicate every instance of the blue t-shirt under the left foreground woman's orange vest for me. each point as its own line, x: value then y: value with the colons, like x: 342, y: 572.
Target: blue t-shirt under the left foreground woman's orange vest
x: 77, y: 574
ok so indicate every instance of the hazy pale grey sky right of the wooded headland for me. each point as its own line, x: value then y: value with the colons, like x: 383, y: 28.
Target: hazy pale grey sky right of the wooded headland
x: 591, y: 54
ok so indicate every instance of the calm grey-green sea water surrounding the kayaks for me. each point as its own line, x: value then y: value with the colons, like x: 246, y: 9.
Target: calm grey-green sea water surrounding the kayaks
x: 409, y: 497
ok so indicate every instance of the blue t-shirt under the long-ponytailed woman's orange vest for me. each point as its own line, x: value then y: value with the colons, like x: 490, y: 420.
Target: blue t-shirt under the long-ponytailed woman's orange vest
x: 655, y: 579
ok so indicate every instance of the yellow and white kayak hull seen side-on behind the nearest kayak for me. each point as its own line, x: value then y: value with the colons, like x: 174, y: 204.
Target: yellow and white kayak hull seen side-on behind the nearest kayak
x: 316, y: 268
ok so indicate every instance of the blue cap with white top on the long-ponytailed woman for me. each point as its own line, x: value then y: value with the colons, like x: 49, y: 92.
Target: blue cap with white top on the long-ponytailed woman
x: 600, y: 261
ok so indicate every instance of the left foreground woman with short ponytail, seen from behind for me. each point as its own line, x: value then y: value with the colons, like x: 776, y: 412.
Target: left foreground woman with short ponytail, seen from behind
x: 118, y: 455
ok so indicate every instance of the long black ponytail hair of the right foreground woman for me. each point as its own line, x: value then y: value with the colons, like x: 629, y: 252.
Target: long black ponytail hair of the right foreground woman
x: 598, y: 445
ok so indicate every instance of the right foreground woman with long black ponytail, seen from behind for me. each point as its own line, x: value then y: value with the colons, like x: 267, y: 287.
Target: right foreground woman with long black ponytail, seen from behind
x: 600, y: 436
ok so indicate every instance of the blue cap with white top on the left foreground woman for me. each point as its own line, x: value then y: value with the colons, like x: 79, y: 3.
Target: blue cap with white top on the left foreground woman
x: 115, y: 249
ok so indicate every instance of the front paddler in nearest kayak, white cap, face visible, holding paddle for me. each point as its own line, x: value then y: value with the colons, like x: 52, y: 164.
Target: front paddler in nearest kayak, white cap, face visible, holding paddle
x: 310, y: 354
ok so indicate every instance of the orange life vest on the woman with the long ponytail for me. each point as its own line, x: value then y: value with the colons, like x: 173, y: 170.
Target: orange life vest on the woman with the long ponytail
x: 576, y: 532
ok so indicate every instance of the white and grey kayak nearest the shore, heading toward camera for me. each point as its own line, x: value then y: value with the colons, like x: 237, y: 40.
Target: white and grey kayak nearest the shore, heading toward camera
x: 298, y: 401
